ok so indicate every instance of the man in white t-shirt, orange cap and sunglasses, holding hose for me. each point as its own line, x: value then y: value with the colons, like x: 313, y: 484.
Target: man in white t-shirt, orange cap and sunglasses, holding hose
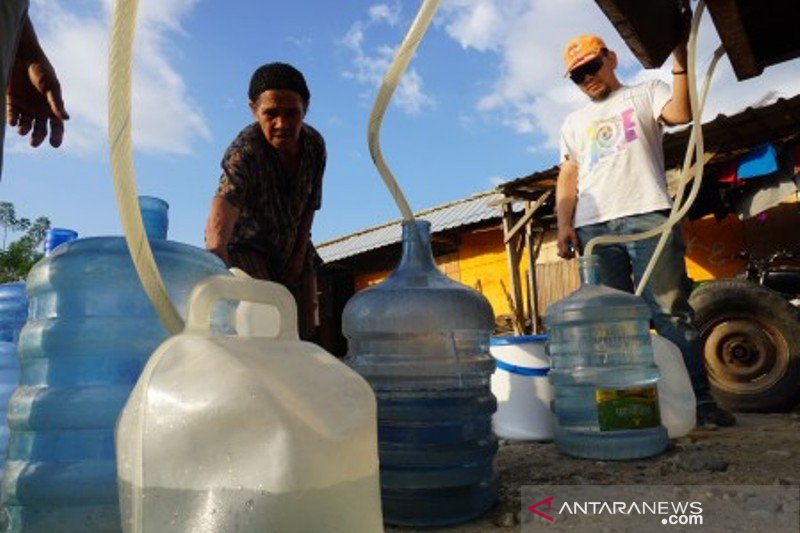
x: 612, y: 182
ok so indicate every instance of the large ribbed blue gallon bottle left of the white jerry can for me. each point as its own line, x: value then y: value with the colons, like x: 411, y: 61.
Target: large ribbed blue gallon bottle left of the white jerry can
x: 90, y: 330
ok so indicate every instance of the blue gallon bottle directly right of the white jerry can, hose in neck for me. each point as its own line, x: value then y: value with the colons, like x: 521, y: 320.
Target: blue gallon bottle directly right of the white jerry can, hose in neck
x: 421, y: 340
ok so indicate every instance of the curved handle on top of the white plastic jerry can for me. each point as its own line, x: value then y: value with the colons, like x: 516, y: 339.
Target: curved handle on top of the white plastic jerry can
x: 242, y: 289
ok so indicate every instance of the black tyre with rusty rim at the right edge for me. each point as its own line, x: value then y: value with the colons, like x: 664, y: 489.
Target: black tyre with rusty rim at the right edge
x: 751, y: 336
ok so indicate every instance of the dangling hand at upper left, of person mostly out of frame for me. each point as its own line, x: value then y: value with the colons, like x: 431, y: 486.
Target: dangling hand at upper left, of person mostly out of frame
x: 34, y: 103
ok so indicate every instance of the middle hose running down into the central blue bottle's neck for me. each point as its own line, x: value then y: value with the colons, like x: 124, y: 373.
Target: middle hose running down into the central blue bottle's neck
x: 388, y: 86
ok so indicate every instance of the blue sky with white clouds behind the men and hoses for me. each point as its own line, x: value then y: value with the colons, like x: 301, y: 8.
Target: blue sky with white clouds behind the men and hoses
x: 481, y: 102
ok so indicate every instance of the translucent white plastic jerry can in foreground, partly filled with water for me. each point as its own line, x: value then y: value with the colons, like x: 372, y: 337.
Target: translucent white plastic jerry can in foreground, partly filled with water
x: 247, y: 433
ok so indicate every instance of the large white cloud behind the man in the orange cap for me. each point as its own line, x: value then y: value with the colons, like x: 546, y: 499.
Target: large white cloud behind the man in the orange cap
x: 530, y: 93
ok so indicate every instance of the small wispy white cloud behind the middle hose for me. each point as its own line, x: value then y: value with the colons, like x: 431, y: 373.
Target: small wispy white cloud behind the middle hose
x: 369, y: 69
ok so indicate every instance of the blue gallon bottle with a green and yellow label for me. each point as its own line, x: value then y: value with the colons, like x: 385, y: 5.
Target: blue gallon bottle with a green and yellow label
x: 603, y: 374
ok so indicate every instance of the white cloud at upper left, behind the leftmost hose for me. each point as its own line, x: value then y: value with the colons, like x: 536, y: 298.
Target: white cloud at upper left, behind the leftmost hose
x: 76, y: 39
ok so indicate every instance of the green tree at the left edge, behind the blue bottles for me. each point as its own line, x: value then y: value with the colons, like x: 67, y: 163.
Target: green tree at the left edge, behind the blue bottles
x: 18, y: 258
